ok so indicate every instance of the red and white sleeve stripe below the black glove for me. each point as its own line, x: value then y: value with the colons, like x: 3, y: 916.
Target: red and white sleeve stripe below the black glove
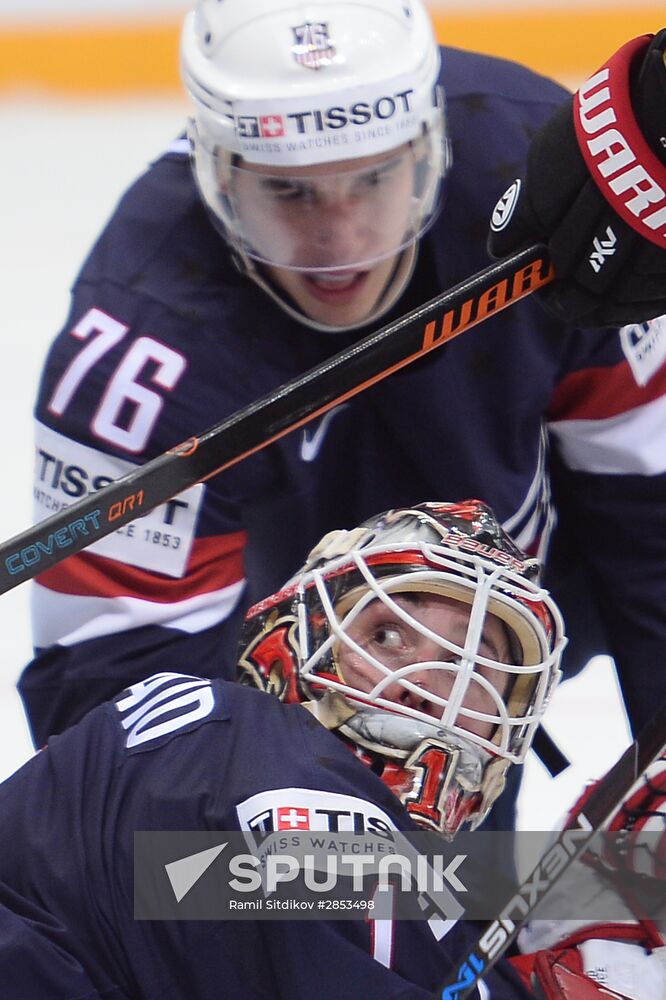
x: 605, y: 423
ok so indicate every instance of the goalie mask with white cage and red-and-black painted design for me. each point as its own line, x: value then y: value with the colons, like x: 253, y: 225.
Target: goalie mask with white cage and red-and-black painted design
x: 423, y: 639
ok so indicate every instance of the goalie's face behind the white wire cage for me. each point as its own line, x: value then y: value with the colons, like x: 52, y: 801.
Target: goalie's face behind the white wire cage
x: 418, y: 659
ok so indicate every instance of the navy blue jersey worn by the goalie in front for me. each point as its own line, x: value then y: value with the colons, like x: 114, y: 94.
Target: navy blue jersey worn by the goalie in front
x: 184, y: 753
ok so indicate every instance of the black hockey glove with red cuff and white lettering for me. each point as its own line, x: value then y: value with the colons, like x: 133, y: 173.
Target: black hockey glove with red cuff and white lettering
x: 595, y: 193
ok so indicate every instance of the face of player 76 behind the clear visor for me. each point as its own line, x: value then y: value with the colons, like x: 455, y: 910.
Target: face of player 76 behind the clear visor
x: 329, y: 238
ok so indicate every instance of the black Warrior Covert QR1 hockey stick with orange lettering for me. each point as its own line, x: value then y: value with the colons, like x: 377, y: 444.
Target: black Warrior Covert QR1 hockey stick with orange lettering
x: 264, y: 421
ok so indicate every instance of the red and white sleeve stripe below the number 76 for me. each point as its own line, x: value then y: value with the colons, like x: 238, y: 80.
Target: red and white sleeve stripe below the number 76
x: 88, y: 595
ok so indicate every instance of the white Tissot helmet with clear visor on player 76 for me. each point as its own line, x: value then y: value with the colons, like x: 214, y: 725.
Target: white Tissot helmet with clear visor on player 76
x: 287, y: 89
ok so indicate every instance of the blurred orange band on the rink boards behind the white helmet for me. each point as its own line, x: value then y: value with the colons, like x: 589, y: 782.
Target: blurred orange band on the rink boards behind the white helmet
x: 110, y: 53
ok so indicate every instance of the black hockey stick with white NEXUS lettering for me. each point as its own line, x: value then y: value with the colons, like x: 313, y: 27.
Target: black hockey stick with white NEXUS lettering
x: 603, y: 800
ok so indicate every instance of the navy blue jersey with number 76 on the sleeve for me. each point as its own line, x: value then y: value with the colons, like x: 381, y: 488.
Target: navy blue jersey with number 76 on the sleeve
x: 165, y: 338
